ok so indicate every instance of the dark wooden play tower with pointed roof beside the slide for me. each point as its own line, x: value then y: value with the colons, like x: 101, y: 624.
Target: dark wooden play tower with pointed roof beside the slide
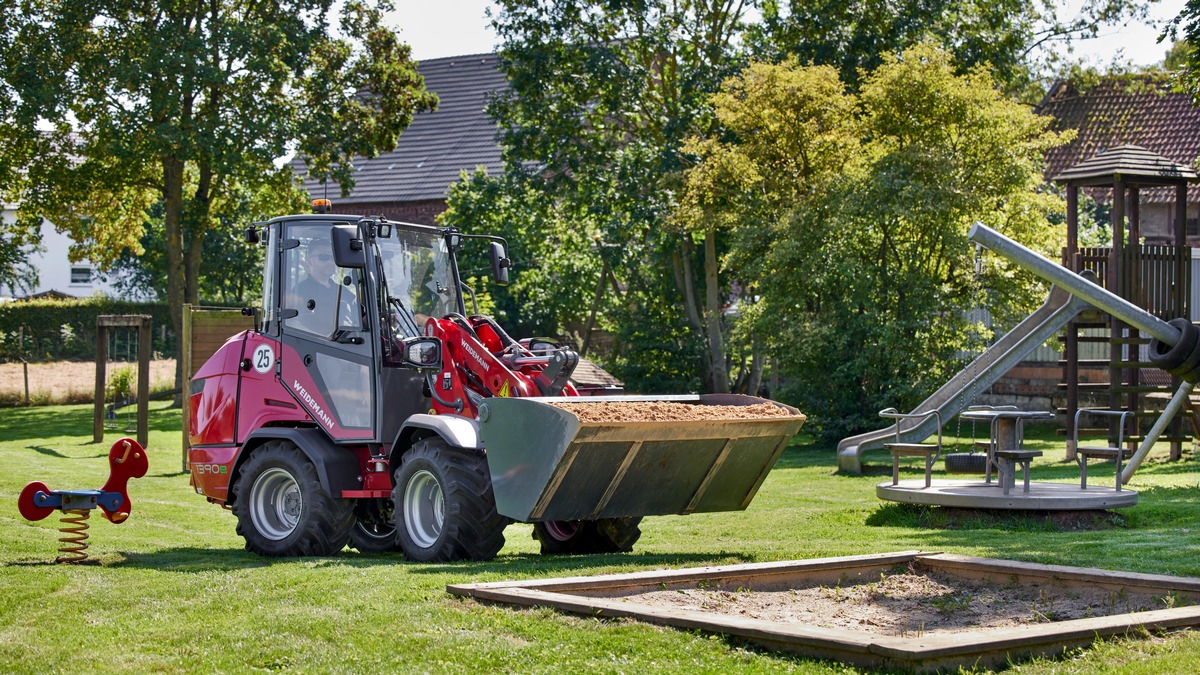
x: 1154, y: 277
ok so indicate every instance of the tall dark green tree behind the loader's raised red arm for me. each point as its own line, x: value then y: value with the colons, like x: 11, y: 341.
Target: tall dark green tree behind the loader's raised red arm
x: 603, y: 95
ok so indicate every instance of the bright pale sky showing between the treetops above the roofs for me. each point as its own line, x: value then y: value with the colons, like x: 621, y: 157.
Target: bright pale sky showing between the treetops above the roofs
x: 452, y: 28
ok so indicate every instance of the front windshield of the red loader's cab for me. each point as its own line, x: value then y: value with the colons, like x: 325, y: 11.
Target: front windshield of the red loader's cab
x: 419, y: 279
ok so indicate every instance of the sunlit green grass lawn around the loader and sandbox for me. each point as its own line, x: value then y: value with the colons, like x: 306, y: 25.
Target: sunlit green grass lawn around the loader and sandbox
x: 173, y: 590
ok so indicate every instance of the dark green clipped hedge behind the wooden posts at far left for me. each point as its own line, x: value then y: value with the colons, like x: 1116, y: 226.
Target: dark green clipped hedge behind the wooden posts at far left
x: 47, y: 331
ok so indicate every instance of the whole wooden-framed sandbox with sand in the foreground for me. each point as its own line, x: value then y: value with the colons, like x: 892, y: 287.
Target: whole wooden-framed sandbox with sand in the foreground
x: 910, y: 610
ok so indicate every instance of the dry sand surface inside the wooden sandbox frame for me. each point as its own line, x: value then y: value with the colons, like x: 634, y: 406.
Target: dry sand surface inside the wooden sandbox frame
x: 909, y: 600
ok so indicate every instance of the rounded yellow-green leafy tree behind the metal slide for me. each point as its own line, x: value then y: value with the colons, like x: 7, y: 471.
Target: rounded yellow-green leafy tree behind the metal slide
x: 850, y: 222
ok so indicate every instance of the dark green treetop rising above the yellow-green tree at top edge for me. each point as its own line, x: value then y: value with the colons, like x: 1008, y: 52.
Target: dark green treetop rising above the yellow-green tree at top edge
x: 855, y: 37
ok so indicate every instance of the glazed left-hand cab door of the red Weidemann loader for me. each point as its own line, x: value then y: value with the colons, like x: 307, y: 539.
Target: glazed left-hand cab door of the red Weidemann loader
x: 328, y: 362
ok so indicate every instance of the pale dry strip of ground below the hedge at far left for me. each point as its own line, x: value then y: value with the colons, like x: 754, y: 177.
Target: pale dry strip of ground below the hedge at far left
x: 63, y: 383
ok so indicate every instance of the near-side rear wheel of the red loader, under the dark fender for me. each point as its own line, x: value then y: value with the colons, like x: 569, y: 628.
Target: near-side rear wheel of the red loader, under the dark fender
x: 283, y: 509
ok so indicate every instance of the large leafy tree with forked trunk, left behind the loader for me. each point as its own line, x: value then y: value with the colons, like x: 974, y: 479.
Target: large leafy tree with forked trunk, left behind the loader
x: 183, y: 104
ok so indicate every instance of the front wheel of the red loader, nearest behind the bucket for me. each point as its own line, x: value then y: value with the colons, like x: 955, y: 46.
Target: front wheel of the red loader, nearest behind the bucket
x: 445, y: 505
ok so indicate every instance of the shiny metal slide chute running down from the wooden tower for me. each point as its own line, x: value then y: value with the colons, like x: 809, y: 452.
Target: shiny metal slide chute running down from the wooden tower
x: 962, y: 390
